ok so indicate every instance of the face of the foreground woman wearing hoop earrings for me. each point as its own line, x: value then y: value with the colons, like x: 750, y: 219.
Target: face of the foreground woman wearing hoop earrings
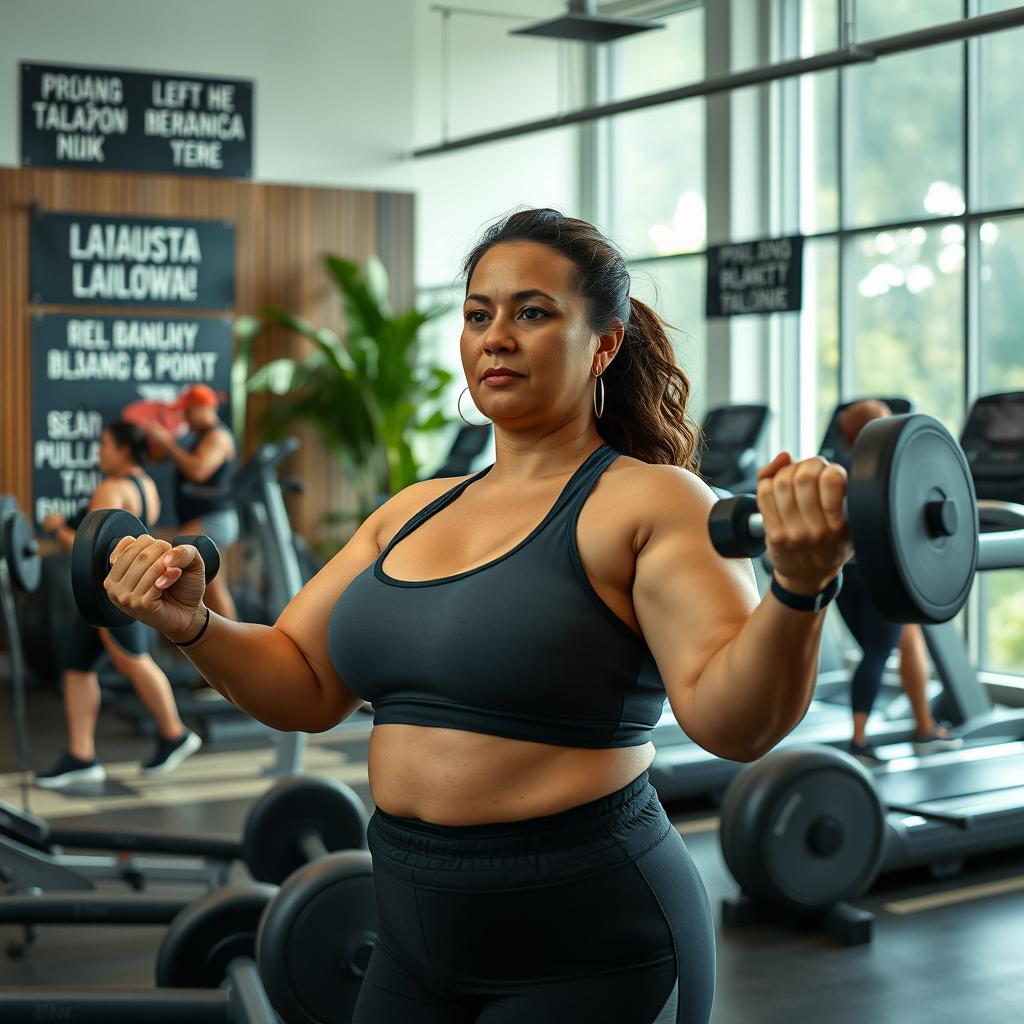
x: 523, y: 312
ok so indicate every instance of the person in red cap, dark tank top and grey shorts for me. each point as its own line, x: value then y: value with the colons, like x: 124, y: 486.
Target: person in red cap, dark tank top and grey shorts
x: 206, y: 457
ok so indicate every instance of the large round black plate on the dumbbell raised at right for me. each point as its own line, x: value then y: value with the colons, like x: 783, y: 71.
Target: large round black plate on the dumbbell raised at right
x: 914, y: 519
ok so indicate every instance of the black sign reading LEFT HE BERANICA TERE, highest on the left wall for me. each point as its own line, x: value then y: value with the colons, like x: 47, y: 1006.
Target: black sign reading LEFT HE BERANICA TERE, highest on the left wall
x: 130, y: 121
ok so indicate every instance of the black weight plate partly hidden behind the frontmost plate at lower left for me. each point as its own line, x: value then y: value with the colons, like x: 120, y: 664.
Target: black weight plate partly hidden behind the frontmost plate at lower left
x: 206, y: 936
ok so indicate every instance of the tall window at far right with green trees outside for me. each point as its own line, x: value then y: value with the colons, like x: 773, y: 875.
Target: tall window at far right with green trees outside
x: 910, y: 174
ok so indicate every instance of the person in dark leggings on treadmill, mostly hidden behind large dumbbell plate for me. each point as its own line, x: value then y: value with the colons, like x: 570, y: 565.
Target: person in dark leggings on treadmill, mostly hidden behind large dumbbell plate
x: 878, y: 637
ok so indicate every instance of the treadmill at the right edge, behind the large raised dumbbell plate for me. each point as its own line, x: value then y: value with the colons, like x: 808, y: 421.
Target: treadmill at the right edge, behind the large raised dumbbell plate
x: 946, y: 806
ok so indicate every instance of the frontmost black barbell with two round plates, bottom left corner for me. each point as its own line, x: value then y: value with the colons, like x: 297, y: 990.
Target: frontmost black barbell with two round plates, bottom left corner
x: 250, y: 956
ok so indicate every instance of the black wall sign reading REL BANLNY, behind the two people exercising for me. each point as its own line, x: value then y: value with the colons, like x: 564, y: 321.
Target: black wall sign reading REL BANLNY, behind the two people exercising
x: 86, y: 370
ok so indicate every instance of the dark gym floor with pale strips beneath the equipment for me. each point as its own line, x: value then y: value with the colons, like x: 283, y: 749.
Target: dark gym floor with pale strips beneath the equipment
x: 962, y: 963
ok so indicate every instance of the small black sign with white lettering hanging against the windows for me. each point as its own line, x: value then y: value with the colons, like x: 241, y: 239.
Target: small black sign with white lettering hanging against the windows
x: 756, y: 278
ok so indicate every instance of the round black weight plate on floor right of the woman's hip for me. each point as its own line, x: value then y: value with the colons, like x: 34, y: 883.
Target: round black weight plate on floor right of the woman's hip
x: 804, y: 829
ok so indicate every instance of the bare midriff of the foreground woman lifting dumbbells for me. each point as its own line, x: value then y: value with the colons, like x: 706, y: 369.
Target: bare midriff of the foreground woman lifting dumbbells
x: 453, y: 778
